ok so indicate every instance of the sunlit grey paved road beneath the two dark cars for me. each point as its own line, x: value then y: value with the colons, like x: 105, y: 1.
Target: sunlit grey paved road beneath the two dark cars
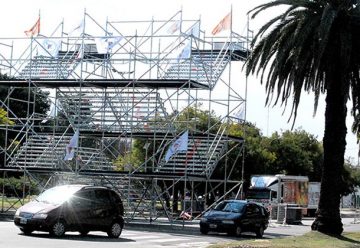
x: 11, y: 237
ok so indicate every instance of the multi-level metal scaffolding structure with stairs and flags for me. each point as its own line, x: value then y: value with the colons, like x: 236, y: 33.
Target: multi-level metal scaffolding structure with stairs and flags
x: 116, y: 85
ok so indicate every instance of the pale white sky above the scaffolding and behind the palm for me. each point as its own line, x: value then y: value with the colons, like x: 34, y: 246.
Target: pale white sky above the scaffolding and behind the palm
x: 16, y: 16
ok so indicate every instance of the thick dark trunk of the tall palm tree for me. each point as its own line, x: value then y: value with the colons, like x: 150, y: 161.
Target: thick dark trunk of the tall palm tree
x: 328, y: 218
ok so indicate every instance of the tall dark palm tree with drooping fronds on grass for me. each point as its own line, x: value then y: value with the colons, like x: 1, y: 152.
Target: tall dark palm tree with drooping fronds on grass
x: 314, y: 46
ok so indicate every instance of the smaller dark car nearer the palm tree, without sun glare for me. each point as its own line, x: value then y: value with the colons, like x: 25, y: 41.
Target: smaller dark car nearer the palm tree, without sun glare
x: 235, y: 217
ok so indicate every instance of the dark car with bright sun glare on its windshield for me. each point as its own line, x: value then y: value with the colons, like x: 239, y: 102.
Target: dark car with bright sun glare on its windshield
x: 81, y: 208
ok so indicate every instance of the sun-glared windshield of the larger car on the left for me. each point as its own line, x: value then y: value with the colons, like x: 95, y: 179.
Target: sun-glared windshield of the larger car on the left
x: 57, y: 195
